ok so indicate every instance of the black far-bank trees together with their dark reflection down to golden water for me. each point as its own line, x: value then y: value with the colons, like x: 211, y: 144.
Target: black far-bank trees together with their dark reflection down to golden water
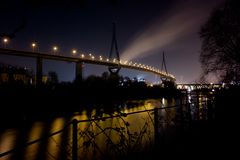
x: 105, y: 92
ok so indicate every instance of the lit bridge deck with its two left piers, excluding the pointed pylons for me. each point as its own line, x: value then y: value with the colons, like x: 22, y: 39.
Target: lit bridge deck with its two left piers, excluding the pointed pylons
x: 84, y: 58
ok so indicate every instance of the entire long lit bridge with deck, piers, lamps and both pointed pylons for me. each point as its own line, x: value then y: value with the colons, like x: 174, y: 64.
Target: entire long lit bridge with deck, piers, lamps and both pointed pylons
x: 113, y: 61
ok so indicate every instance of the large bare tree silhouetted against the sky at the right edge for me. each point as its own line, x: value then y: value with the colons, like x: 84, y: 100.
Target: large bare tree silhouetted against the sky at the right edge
x: 220, y: 35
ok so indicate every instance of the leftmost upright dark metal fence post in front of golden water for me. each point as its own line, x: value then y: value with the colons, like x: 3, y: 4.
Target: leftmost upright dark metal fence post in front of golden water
x: 74, y: 139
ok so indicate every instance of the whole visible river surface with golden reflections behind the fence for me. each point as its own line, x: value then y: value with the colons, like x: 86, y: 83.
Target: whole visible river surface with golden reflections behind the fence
x: 131, y: 128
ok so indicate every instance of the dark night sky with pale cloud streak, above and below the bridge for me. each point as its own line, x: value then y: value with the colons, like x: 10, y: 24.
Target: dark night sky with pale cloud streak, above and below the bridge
x: 145, y: 29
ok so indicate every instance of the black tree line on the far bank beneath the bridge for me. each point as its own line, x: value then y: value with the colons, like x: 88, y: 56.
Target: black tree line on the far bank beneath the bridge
x: 94, y: 90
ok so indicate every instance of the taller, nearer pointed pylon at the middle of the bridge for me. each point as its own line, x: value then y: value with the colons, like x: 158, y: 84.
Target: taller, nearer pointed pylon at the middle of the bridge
x: 115, y: 68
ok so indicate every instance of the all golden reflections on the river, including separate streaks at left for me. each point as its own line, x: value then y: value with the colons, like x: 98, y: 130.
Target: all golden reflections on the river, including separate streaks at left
x: 139, y: 127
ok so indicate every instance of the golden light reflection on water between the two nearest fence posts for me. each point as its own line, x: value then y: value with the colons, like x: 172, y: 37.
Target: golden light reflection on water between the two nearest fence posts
x: 115, y: 129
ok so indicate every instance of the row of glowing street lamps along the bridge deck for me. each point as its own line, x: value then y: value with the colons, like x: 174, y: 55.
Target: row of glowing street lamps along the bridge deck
x: 74, y: 52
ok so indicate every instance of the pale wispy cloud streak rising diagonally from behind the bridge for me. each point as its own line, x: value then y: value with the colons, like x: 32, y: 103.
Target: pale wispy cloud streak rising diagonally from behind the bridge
x: 183, y: 19
